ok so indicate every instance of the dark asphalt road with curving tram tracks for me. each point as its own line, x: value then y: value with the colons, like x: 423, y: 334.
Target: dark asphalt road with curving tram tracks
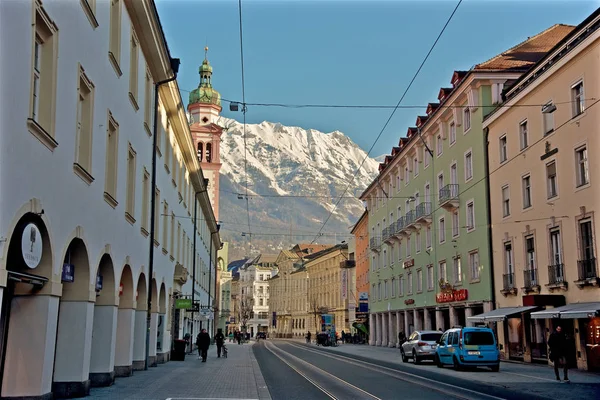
x: 295, y: 371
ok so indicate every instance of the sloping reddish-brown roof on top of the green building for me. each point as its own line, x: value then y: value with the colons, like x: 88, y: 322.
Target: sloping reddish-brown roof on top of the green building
x: 524, y: 55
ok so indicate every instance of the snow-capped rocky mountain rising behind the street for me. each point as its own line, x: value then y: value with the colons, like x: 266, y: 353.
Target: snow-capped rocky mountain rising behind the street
x: 295, y: 178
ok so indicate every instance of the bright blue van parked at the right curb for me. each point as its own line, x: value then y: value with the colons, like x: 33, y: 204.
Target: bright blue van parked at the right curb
x: 468, y: 347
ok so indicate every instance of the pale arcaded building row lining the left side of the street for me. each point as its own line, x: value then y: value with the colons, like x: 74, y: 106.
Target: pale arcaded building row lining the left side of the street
x: 76, y: 176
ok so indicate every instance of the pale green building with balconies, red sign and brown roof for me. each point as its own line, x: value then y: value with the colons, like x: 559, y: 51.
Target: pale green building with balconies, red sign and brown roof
x: 430, y: 255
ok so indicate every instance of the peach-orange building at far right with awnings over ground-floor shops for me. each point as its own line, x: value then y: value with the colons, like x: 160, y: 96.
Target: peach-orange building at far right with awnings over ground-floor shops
x: 543, y: 202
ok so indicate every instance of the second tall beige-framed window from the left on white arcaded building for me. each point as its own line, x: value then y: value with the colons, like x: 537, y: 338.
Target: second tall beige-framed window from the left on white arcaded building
x: 84, y: 127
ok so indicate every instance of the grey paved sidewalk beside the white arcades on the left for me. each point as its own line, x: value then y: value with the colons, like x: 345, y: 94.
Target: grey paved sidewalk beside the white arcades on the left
x: 236, y: 377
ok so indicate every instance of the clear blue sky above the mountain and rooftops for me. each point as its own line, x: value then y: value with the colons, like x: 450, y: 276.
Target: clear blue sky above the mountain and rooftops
x: 347, y: 53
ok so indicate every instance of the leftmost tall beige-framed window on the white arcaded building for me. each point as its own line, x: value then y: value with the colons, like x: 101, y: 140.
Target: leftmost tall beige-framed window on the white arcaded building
x: 43, y: 78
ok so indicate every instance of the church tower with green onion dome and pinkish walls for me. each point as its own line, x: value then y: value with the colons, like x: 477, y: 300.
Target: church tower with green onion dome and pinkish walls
x: 204, y: 110
